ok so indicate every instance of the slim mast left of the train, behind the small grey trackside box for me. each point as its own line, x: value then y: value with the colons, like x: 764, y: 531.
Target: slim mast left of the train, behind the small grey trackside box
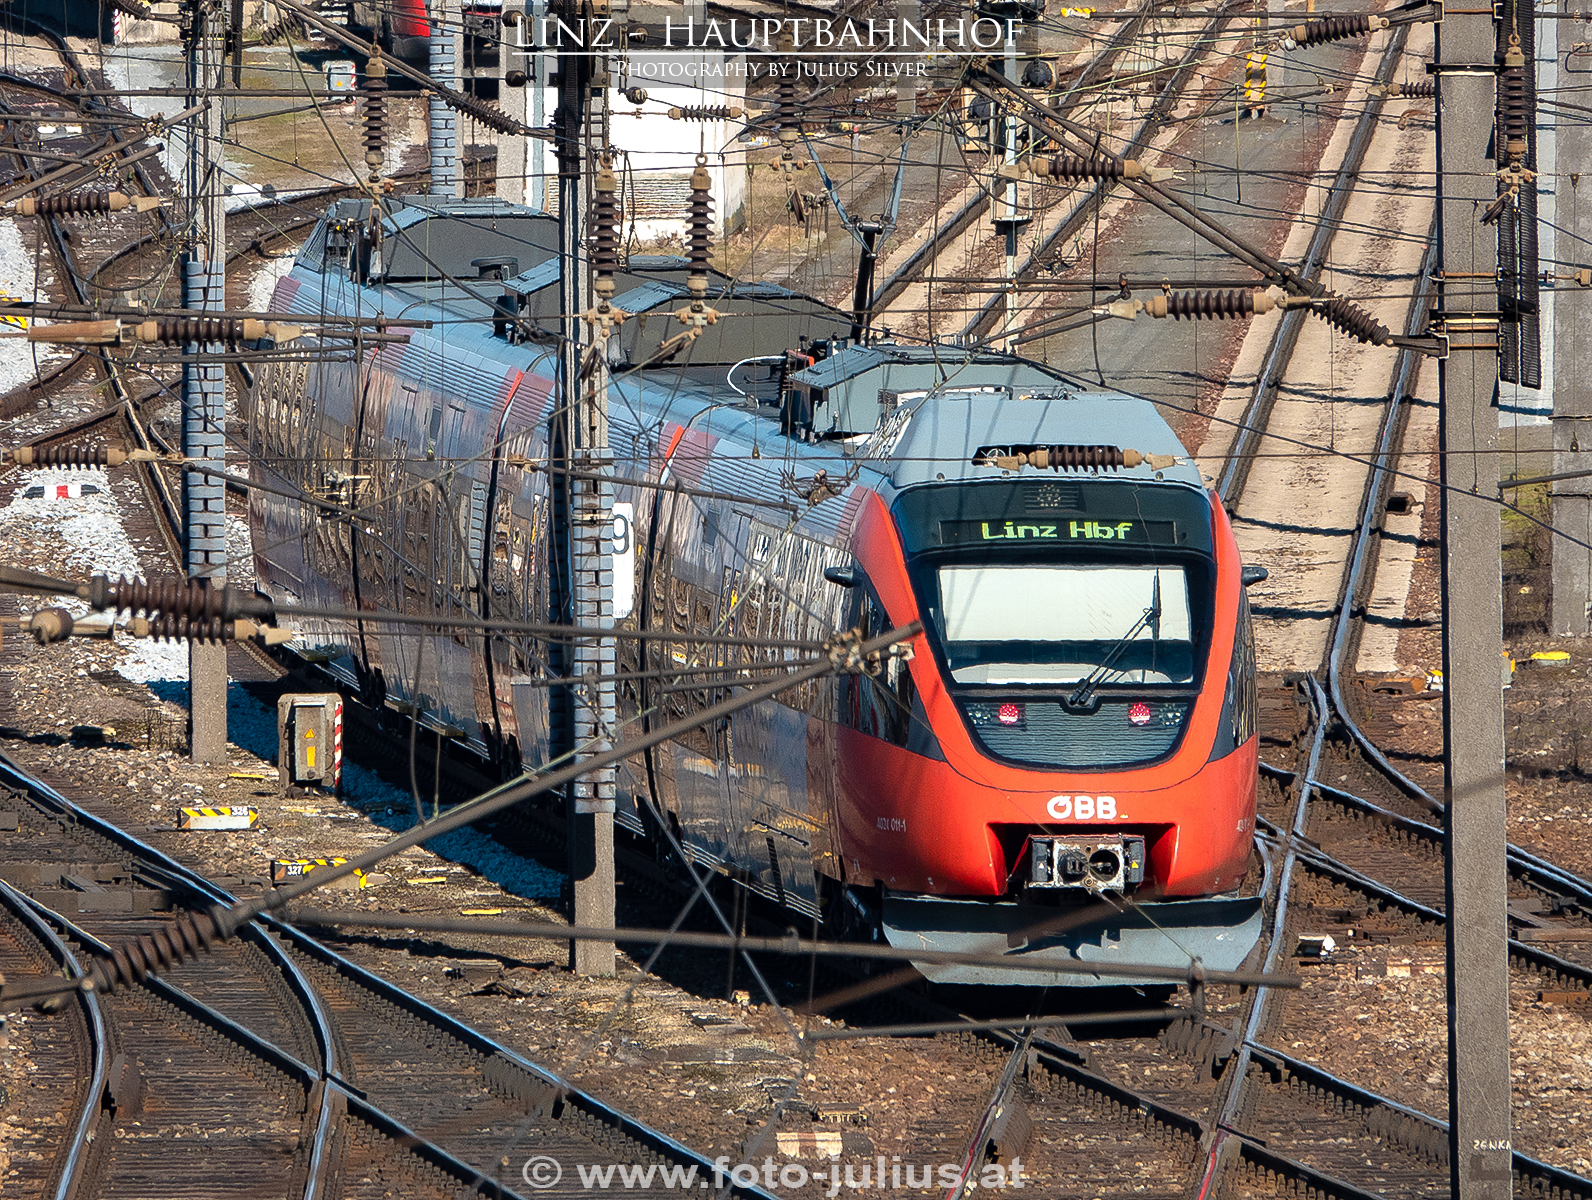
x: 205, y: 383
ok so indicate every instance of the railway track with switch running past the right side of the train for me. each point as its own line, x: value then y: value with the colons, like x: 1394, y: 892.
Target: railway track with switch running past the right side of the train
x: 1258, y: 1116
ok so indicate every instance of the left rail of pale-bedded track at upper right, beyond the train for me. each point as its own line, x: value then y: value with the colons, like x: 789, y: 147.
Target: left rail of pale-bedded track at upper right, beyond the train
x: 1252, y: 426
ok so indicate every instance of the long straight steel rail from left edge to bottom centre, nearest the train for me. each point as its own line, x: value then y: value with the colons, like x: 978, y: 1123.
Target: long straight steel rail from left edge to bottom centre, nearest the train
x: 52, y: 801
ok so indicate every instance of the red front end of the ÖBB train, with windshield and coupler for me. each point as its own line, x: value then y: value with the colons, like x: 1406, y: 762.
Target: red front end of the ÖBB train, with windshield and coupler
x: 1072, y: 744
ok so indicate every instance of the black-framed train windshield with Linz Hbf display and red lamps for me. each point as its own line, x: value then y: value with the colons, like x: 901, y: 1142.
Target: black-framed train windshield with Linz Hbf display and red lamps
x: 1071, y: 618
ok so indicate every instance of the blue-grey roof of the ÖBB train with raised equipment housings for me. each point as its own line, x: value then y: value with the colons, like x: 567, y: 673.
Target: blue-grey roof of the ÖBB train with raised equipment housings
x: 900, y: 416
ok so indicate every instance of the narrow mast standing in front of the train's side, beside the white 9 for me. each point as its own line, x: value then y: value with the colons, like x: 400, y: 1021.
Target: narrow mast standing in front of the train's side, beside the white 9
x: 585, y: 540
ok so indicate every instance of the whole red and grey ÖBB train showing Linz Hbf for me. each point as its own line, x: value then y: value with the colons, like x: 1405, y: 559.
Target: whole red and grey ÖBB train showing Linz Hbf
x: 1075, y: 722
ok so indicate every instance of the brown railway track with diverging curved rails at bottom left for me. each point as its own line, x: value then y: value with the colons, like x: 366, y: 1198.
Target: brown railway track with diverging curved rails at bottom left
x: 322, y: 1054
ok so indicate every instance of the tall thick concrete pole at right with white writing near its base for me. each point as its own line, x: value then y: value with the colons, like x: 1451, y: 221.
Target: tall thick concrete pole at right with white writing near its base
x: 1480, y: 1158
